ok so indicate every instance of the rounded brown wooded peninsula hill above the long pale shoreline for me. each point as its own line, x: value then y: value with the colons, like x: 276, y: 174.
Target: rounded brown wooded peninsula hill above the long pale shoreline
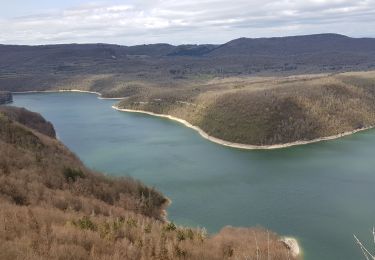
x: 267, y: 111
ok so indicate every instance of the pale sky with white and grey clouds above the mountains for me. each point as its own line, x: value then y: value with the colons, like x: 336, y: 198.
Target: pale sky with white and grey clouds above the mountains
x: 130, y: 22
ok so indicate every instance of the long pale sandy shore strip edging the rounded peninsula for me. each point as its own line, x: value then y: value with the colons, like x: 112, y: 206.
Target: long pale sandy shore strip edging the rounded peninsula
x: 239, y: 145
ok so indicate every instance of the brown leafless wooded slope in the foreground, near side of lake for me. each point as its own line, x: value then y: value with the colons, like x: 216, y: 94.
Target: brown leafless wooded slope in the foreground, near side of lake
x: 53, y: 207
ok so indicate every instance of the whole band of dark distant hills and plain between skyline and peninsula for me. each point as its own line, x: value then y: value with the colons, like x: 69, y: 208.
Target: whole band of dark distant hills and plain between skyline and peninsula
x: 51, y: 66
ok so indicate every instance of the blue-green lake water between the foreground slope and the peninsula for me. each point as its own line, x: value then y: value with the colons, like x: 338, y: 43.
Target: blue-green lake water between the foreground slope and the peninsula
x: 320, y: 193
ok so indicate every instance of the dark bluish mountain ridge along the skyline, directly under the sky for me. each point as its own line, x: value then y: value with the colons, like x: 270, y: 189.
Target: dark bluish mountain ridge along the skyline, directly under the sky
x: 249, y: 46
